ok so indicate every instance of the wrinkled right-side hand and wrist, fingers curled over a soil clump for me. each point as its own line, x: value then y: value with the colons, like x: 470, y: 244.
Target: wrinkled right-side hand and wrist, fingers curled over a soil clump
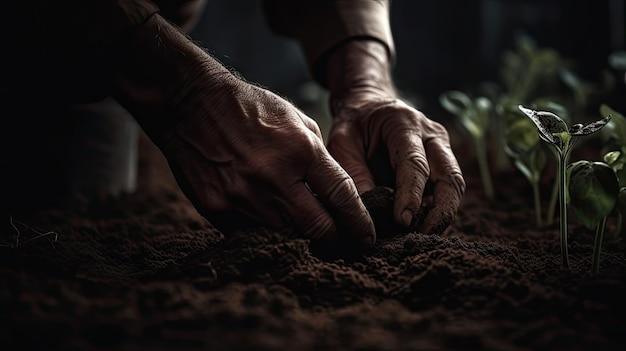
x: 380, y: 140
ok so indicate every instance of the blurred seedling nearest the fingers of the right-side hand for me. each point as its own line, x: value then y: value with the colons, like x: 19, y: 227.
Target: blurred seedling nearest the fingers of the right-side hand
x: 474, y: 117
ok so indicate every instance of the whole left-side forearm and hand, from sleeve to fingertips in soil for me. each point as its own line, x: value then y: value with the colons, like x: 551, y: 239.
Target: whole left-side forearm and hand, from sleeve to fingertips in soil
x: 233, y: 146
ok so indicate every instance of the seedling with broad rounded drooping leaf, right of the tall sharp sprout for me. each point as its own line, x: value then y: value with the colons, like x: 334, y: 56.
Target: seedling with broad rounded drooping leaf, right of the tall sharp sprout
x: 593, y: 189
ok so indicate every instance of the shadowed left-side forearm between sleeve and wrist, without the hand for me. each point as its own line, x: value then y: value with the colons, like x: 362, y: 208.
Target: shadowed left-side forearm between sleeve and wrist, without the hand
x: 158, y: 69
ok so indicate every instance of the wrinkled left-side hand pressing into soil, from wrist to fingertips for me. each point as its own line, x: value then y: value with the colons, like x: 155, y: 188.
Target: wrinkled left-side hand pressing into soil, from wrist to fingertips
x: 252, y: 151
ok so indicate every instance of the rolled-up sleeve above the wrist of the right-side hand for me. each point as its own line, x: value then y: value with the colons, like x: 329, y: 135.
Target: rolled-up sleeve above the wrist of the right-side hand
x: 321, y: 25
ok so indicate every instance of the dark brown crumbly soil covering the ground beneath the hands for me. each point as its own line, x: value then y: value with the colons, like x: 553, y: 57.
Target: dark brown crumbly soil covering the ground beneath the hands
x: 147, y: 272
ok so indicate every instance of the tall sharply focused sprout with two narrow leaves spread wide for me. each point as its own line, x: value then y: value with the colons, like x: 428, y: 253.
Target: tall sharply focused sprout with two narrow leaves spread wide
x: 553, y: 130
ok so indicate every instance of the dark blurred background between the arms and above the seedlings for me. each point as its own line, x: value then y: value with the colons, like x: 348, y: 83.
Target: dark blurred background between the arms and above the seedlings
x: 441, y: 44
